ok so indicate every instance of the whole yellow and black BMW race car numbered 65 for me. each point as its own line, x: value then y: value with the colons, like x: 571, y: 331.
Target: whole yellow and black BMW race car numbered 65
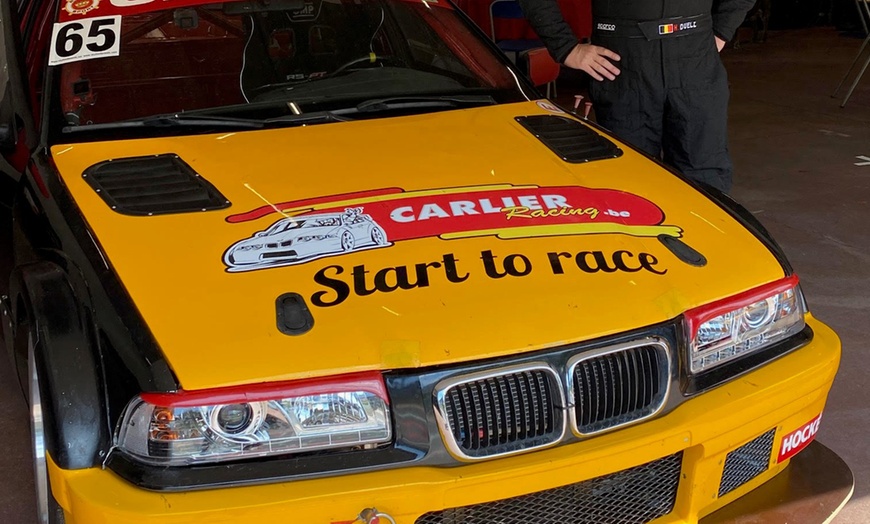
x: 333, y: 261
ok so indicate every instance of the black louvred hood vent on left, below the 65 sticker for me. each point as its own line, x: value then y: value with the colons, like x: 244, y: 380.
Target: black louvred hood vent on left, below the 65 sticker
x: 153, y: 185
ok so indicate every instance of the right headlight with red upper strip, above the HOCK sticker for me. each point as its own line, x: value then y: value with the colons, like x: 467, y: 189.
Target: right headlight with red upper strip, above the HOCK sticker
x: 745, y: 323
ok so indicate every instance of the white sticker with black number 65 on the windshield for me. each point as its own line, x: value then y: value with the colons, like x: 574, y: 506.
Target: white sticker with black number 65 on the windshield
x: 85, y: 39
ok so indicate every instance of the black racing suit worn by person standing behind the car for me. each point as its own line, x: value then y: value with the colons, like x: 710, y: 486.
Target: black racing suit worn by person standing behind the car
x: 671, y: 97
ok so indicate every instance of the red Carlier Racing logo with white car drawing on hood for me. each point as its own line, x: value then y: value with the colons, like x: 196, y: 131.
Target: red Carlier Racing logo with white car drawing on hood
x: 315, y: 228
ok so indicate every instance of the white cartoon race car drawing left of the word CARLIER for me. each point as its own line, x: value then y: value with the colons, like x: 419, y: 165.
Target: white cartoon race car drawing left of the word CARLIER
x: 292, y: 240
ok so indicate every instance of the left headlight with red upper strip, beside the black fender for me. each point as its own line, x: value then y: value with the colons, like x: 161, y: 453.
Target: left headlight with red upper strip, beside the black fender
x: 182, y: 428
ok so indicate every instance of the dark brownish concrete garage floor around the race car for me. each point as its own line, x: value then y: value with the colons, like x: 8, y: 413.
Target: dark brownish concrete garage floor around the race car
x: 795, y: 153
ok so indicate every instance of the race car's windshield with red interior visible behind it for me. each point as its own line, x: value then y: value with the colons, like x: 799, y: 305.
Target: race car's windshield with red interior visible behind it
x: 126, y: 60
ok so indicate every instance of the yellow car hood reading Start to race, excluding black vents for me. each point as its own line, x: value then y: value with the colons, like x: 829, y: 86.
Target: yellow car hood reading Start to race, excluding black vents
x: 418, y: 241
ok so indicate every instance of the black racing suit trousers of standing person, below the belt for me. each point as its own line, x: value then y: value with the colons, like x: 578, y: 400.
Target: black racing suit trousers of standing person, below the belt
x: 670, y: 101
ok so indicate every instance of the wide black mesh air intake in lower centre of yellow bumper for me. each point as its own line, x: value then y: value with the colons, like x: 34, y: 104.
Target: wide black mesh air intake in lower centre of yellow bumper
x: 633, y: 496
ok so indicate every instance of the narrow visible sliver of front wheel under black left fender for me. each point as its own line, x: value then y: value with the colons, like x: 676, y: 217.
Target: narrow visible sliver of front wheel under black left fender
x: 48, y: 511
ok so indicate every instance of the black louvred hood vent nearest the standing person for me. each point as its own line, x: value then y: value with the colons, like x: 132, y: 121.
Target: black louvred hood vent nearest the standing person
x: 568, y: 138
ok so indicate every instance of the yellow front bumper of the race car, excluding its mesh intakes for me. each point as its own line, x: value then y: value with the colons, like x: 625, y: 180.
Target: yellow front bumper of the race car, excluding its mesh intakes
x: 784, y: 394
